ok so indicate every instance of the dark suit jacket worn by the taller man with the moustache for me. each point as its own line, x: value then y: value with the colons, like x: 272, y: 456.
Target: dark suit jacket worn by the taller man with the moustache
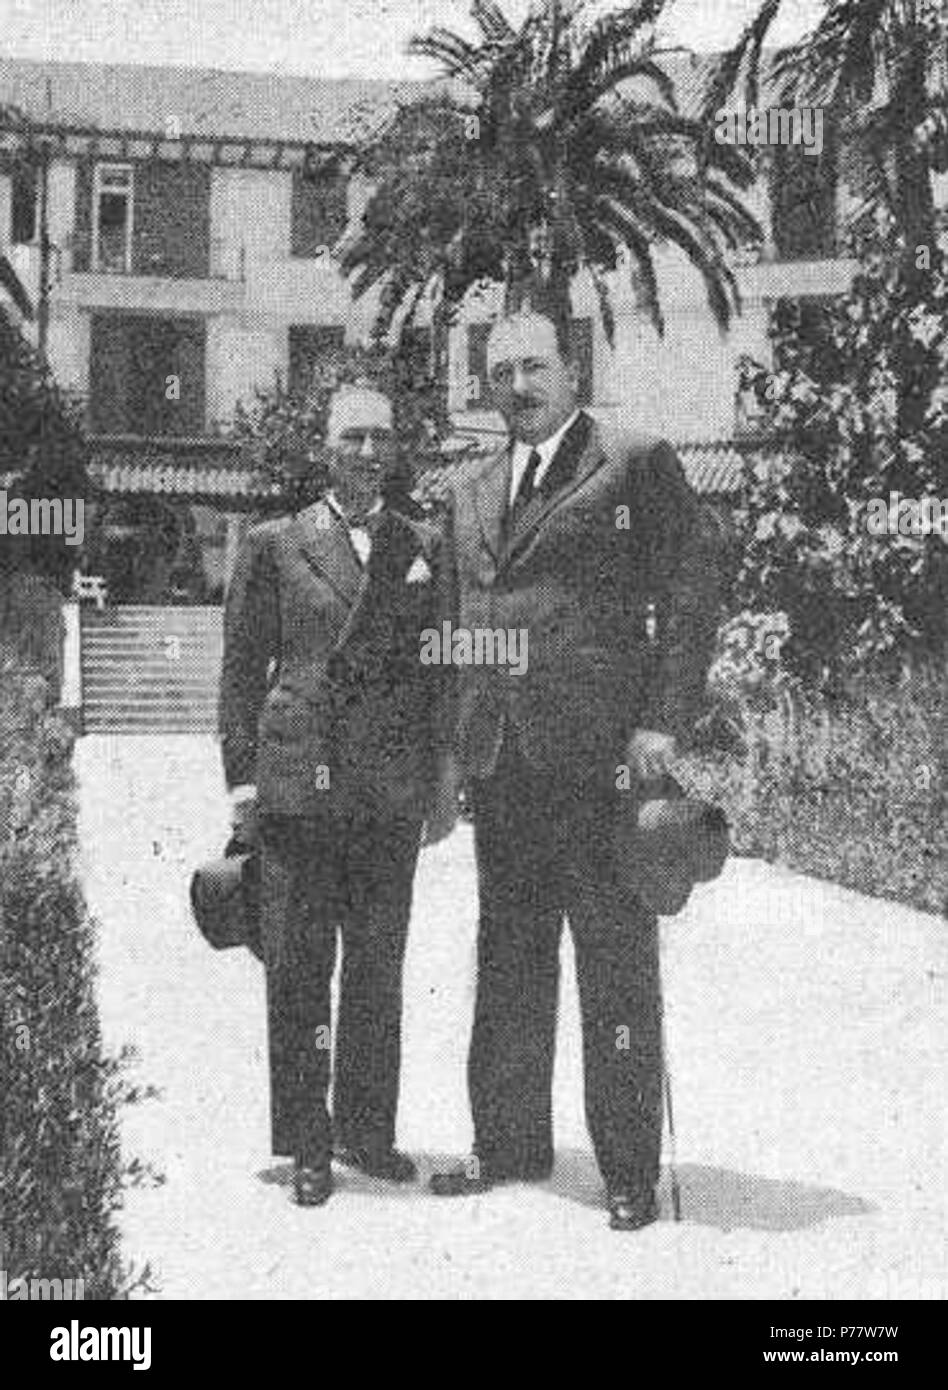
x: 582, y: 584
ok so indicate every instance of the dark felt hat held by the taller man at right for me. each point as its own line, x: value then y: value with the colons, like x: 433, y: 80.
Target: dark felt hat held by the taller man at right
x: 667, y: 843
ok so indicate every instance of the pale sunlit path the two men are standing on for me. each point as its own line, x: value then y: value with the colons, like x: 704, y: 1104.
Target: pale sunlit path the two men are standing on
x: 807, y: 1040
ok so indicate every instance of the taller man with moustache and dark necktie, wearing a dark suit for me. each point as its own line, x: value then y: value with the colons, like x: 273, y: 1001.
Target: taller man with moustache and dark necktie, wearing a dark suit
x: 589, y: 544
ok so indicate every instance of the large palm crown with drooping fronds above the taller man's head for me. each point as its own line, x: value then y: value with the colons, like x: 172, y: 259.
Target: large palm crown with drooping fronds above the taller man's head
x: 551, y: 148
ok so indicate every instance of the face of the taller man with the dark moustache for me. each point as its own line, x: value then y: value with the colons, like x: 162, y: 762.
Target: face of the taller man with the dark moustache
x: 532, y: 386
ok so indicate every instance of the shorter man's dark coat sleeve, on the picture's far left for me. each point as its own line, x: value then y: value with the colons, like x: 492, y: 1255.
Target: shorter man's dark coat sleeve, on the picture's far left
x: 251, y: 643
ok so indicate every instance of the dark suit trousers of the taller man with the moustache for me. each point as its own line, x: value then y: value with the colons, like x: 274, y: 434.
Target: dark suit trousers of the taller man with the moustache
x: 546, y: 850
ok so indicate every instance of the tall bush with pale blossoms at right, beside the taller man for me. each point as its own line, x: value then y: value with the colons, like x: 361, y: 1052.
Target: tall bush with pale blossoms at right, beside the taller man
x: 858, y: 398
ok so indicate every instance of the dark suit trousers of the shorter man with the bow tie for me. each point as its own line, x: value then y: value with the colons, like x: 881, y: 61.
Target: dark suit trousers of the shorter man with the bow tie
x: 350, y: 874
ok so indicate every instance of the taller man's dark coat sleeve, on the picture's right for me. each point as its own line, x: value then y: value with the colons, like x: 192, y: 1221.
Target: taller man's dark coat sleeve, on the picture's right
x: 685, y: 569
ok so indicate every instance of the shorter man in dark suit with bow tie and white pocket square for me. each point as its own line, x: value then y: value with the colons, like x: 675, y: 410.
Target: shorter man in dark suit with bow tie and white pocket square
x: 327, y: 743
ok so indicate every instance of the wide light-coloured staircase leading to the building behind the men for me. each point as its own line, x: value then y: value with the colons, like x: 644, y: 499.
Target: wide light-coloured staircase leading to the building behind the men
x: 151, y: 671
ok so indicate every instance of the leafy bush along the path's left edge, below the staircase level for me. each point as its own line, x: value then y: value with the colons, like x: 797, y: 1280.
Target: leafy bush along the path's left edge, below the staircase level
x: 60, y: 1171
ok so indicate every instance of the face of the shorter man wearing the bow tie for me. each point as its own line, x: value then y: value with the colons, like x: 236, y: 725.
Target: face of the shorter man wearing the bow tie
x: 361, y: 443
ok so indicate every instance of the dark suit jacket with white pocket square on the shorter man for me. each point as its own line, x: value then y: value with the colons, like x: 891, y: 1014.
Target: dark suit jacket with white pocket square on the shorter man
x: 315, y: 672
